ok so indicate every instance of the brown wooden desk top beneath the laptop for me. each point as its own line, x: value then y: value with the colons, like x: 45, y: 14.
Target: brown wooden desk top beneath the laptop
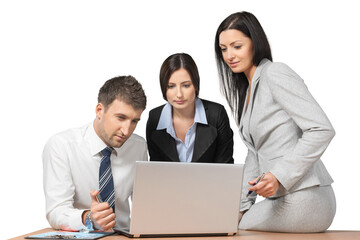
x: 245, y: 235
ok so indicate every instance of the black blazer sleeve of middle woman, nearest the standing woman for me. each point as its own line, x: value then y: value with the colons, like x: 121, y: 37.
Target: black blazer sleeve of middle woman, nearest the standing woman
x: 225, y: 142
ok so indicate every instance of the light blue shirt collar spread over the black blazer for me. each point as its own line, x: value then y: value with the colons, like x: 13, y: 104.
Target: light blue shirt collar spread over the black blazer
x: 165, y: 120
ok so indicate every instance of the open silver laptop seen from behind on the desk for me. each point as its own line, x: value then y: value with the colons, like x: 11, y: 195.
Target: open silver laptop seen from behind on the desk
x: 185, y: 199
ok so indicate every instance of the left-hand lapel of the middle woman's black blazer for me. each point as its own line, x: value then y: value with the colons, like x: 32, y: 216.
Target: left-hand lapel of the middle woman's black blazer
x: 166, y: 144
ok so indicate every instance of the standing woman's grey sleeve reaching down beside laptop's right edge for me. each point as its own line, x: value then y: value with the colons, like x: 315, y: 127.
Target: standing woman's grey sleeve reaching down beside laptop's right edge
x: 251, y: 171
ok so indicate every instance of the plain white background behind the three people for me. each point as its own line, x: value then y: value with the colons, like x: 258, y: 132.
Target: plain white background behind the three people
x: 55, y: 55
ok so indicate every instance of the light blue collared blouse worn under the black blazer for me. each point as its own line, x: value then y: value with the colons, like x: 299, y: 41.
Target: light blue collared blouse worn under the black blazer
x: 185, y: 149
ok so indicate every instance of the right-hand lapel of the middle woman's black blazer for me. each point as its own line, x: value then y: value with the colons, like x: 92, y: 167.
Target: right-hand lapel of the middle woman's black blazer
x: 205, y: 136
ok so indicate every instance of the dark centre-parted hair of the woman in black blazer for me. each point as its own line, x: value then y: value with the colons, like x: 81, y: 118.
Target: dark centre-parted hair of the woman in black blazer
x: 175, y: 62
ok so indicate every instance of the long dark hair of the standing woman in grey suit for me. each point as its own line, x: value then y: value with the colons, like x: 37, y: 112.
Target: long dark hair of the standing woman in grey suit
x: 234, y: 85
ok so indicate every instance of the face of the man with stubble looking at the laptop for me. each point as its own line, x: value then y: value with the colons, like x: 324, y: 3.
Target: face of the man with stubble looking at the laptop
x: 115, y: 125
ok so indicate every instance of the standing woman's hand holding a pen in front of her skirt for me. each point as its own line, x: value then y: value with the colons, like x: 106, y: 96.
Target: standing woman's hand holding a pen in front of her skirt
x: 267, y: 187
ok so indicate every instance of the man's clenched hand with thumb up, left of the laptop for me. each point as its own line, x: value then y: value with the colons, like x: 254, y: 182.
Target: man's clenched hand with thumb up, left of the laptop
x: 101, y: 213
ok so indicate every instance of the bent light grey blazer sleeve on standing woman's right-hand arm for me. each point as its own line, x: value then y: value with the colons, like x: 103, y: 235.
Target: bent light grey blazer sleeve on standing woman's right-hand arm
x: 290, y: 92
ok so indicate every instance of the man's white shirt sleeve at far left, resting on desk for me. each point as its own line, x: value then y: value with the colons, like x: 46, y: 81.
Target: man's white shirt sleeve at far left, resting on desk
x: 59, y: 188
